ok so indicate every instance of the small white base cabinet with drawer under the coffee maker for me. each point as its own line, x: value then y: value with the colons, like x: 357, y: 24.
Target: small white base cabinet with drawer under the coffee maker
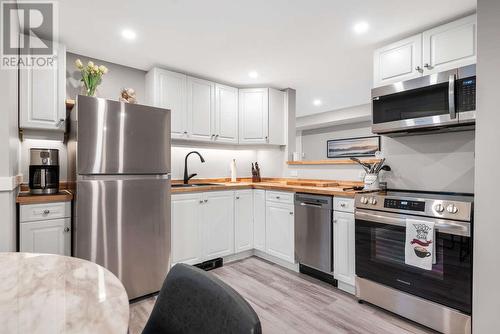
x: 45, y: 228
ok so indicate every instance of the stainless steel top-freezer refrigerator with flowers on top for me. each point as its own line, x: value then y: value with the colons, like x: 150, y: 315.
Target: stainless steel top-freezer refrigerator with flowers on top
x: 121, y: 164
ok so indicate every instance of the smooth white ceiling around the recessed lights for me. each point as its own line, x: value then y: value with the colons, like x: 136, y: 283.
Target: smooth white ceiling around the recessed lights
x: 308, y: 45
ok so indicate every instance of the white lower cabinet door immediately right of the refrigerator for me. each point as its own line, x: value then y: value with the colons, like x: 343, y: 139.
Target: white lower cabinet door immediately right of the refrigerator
x: 186, y: 228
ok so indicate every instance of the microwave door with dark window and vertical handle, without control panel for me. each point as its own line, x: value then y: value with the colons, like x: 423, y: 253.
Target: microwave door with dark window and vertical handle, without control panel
x: 424, y: 102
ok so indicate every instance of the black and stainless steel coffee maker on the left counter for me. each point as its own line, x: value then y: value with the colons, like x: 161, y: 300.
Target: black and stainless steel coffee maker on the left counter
x: 44, y: 171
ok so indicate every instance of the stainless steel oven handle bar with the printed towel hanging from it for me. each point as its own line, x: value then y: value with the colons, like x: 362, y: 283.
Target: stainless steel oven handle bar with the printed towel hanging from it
x: 443, y: 226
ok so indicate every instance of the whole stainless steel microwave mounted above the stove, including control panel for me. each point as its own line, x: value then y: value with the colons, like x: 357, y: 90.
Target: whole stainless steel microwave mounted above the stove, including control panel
x: 444, y: 101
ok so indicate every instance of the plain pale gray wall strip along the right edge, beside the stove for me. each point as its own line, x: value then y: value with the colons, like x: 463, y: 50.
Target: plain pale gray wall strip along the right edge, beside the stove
x: 486, y: 293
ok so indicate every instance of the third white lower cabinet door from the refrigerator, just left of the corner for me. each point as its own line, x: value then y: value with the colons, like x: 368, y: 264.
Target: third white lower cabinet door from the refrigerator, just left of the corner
x: 243, y: 220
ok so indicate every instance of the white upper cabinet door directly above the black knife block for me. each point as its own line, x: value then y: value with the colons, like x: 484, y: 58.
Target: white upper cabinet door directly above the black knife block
x: 253, y: 115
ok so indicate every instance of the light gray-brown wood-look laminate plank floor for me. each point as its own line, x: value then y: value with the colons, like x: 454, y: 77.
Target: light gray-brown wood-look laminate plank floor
x: 288, y: 302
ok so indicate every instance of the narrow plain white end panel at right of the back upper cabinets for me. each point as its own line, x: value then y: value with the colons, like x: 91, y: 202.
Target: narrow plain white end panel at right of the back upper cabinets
x: 276, y: 117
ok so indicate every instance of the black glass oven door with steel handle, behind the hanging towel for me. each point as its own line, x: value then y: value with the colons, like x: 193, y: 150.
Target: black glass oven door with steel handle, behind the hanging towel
x: 380, y: 257
